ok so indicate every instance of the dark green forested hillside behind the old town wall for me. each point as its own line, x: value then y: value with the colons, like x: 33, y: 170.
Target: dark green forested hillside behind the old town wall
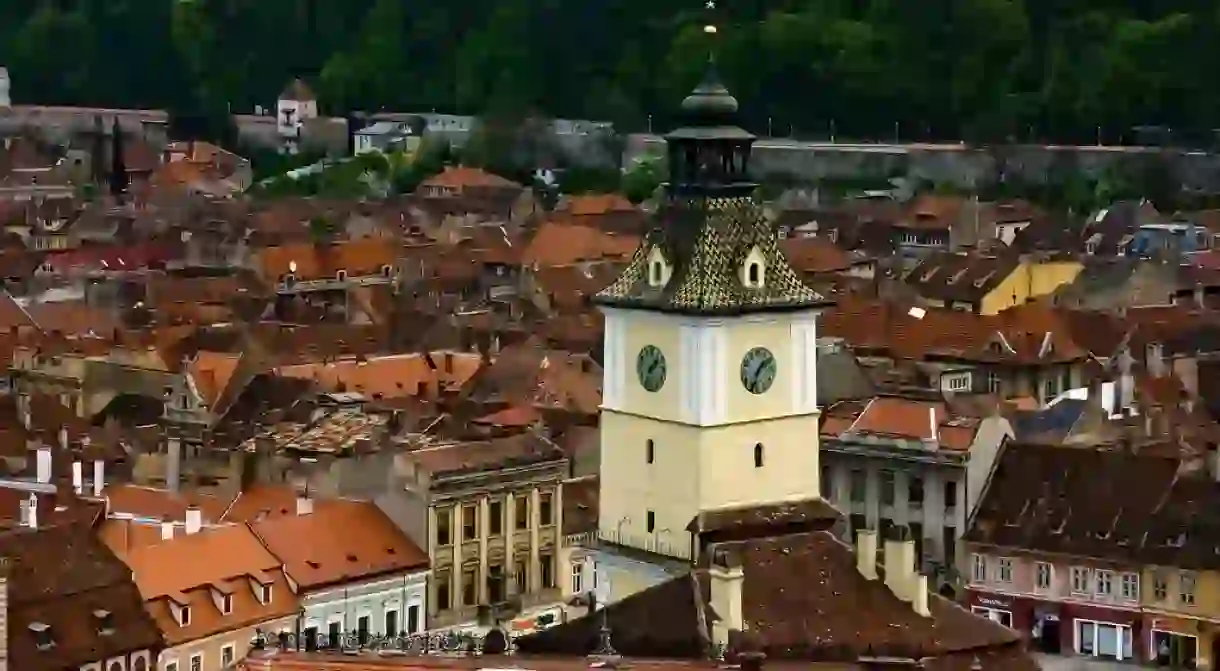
x: 947, y: 69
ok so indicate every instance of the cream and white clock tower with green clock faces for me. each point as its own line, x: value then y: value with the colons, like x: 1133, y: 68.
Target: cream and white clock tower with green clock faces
x: 711, y: 351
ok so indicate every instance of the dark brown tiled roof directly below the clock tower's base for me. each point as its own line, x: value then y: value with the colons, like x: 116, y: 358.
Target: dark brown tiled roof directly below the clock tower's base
x: 835, y: 615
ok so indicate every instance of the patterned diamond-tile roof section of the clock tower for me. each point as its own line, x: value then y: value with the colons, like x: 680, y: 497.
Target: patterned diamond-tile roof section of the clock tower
x: 706, y: 242
